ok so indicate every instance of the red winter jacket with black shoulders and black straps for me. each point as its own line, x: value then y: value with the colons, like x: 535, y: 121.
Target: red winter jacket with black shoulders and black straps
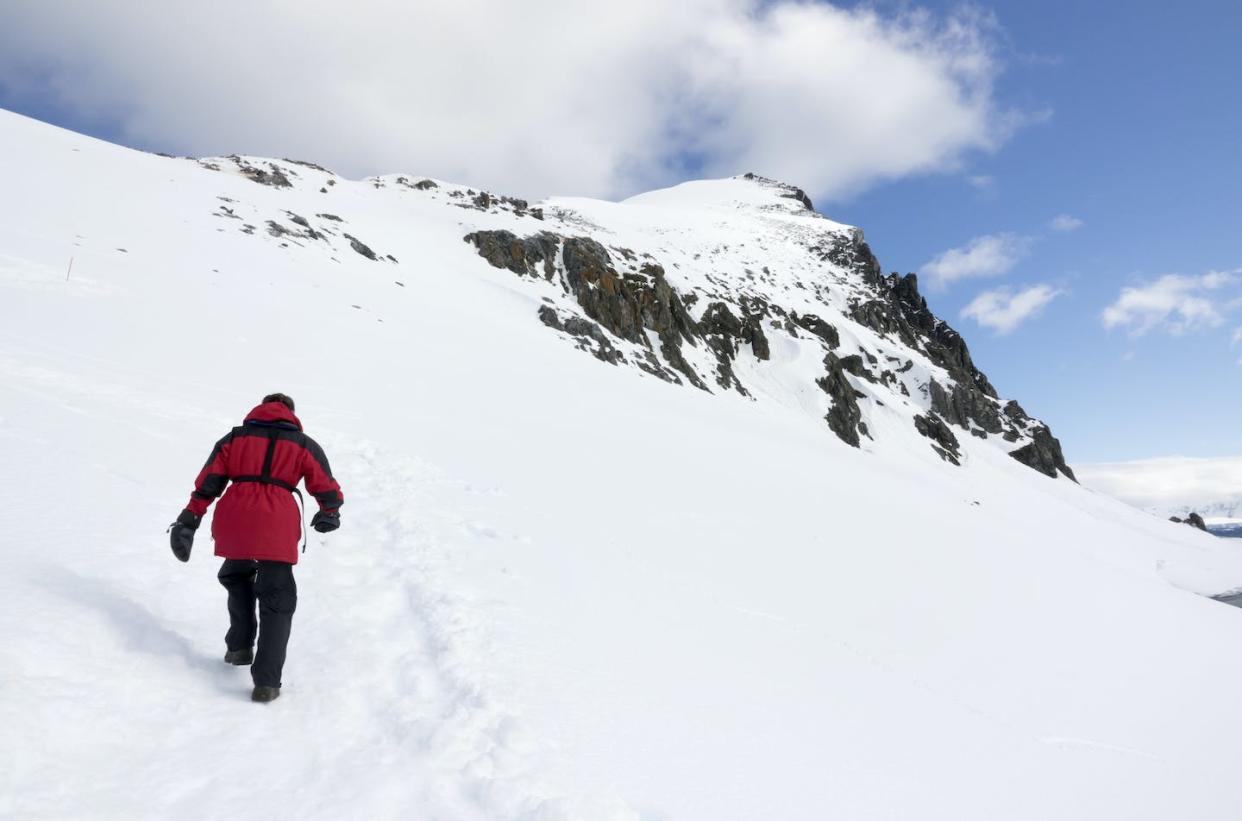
x: 265, y: 458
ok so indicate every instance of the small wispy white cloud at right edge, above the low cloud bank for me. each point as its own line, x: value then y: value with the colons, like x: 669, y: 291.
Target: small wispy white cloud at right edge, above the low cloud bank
x: 1174, y: 304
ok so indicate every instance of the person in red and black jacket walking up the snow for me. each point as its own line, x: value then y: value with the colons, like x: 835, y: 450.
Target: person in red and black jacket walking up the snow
x: 258, y: 528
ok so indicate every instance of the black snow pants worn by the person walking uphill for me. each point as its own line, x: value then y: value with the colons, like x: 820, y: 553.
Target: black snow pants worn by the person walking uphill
x: 271, y: 586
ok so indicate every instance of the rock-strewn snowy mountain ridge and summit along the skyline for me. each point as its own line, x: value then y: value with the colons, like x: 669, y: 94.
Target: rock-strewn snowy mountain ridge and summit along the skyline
x: 731, y: 285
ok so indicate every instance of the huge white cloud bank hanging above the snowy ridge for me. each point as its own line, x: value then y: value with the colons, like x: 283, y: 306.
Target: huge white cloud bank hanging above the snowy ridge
x: 527, y: 98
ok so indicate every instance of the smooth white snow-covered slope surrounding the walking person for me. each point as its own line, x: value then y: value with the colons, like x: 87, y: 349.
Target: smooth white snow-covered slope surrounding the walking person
x: 564, y: 588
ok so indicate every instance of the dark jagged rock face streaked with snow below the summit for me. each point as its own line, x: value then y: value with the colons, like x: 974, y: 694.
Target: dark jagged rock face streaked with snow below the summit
x: 879, y: 342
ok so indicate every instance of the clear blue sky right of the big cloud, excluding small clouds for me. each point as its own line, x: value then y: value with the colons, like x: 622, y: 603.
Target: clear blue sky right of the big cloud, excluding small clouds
x: 1145, y: 146
